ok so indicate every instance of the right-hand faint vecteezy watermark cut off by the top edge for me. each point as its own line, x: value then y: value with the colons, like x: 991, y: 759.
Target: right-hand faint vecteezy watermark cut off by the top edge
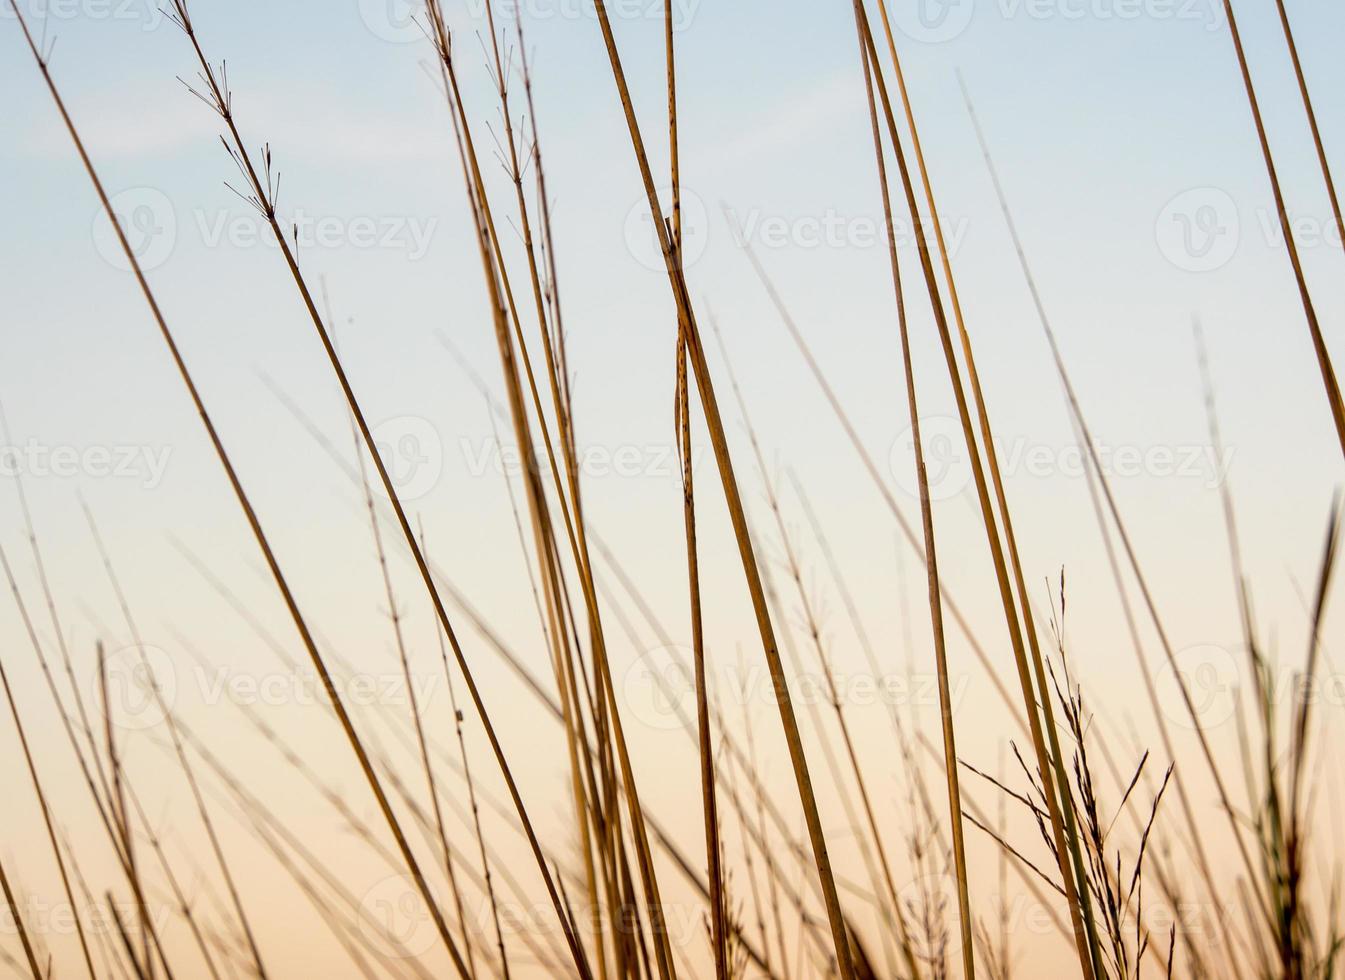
x: 935, y: 22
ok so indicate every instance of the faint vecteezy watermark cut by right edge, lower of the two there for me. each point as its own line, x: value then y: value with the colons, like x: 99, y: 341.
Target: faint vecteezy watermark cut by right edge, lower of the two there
x: 1200, y: 686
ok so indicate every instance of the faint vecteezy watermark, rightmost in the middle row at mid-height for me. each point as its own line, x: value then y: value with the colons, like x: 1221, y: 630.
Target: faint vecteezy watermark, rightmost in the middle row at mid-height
x: 950, y: 470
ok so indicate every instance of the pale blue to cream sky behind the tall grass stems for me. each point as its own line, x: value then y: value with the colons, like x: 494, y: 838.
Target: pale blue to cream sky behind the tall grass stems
x: 1126, y: 149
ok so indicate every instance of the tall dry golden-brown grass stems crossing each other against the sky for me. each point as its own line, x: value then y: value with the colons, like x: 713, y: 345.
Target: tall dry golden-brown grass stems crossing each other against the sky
x: 625, y: 934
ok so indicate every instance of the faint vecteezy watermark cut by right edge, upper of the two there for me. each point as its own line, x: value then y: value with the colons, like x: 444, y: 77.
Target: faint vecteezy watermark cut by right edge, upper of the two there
x: 1202, y: 229
